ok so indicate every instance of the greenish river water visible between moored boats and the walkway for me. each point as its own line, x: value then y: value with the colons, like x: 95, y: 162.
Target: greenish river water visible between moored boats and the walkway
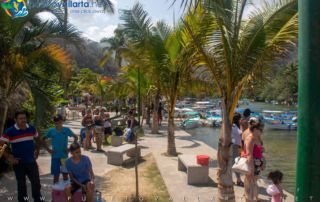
x: 280, y: 146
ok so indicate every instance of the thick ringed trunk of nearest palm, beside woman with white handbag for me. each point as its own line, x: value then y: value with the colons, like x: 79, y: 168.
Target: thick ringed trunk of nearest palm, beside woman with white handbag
x: 224, y: 157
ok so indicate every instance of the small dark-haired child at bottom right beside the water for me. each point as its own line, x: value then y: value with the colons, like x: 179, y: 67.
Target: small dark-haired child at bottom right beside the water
x: 275, y: 190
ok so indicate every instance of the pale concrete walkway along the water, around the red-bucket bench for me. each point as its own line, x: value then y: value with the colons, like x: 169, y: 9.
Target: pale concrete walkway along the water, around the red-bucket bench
x: 176, y: 181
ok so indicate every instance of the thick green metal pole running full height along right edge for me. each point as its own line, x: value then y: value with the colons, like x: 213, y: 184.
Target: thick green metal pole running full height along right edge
x: 308, y: 151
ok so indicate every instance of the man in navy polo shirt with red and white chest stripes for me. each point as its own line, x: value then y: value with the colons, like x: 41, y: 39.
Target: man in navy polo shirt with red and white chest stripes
x: 21, y: 136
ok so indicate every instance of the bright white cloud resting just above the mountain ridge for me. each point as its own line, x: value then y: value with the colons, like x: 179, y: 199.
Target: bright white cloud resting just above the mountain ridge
x: 96, y: 33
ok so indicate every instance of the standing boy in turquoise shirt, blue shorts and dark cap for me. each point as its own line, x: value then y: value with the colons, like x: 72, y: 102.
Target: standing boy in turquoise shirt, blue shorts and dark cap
x: 59, y: 152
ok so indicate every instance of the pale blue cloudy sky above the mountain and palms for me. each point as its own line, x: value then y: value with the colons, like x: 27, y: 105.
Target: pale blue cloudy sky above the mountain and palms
x: 95, y: 24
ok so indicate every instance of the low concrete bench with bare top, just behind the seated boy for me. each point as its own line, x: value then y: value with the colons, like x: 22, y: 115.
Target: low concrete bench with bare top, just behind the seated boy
x: 115, y: 155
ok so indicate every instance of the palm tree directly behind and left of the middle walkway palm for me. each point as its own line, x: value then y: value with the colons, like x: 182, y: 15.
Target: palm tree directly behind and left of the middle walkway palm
x: 137, y: 32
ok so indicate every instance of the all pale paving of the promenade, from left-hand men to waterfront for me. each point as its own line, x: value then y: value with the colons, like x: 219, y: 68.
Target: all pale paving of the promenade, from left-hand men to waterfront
x: 175, y: 180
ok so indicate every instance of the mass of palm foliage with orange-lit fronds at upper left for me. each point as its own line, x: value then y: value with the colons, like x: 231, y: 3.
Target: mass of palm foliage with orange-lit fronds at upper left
x: 28, y: 58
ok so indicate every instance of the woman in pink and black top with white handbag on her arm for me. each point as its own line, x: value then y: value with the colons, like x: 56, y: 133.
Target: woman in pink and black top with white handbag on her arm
x: 253, y: 151
